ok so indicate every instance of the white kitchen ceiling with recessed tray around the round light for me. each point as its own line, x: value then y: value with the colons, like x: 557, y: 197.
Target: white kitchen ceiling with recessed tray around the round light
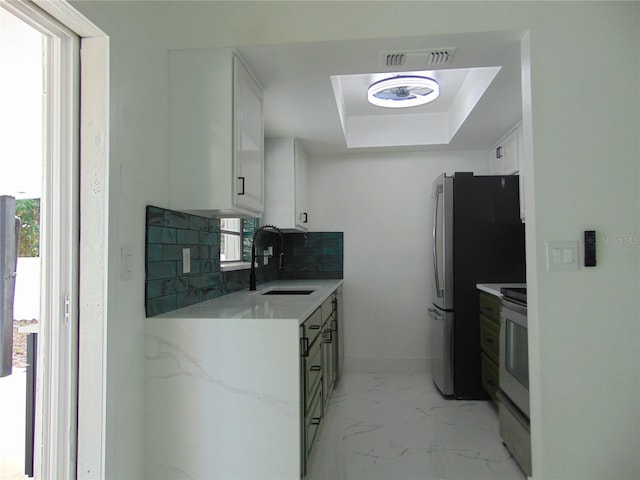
x: 299, y: 100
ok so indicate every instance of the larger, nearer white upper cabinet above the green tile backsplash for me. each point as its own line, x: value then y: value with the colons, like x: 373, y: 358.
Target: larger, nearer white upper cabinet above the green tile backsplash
x: 216, y: 161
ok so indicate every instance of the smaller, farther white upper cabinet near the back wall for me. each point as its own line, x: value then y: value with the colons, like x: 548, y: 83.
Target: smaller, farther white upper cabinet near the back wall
x: 286, y: 184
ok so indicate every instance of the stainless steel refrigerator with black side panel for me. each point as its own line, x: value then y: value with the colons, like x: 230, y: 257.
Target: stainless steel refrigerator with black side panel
x: 478, y: 237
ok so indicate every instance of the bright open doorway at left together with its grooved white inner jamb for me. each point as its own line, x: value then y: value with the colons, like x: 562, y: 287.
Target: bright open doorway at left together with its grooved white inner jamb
x: 39, y: 165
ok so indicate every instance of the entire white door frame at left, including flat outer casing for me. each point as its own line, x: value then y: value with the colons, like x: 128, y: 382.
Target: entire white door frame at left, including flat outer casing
x: 70, y: 407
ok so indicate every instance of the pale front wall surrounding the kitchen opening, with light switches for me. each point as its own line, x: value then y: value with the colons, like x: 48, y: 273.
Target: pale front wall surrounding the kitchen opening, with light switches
x: 584, y: 325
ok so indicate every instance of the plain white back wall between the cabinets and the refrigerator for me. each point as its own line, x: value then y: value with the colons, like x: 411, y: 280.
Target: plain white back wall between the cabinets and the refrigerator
x: 383, y: 205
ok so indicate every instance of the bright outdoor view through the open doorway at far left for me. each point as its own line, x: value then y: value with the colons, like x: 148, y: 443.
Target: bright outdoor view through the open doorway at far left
x: 21, y: 164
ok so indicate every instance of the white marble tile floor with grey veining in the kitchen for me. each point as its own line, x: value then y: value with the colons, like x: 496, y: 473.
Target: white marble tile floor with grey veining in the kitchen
x: 399, y: 427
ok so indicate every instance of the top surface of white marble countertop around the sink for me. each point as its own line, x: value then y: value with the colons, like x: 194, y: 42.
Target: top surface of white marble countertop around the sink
x: 254, y: 305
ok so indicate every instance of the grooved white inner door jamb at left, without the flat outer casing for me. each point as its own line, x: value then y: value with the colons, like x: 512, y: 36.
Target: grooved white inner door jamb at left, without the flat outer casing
x: 57, y: 357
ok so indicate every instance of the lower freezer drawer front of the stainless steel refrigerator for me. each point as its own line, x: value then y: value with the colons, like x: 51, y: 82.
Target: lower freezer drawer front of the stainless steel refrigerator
x: 442, y: 349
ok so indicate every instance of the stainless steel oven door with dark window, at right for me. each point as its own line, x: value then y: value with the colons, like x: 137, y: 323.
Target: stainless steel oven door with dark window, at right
x: 514, y: 354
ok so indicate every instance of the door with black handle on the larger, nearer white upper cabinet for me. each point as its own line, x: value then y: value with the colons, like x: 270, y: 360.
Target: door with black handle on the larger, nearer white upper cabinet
x: 248, y: 159
